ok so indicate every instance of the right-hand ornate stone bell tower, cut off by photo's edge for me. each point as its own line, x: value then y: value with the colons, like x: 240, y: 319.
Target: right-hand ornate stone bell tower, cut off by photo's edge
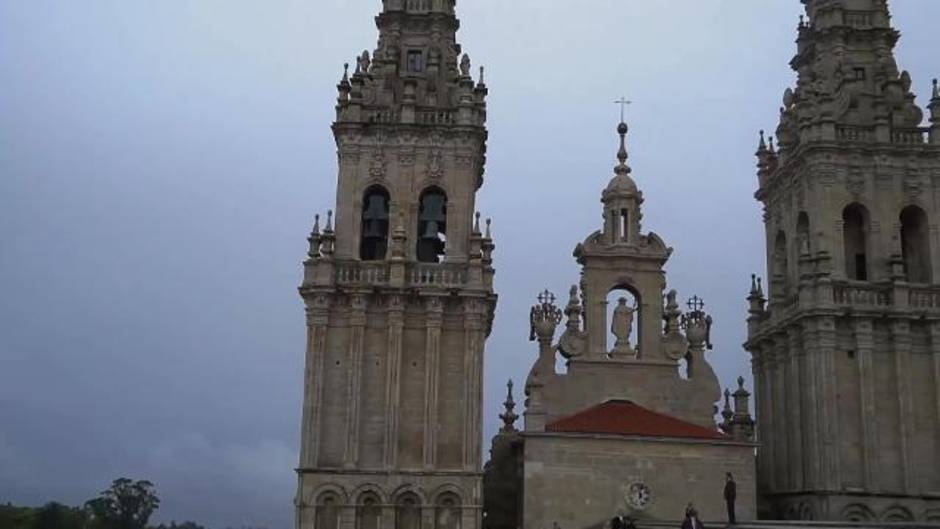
x: 846, y: 357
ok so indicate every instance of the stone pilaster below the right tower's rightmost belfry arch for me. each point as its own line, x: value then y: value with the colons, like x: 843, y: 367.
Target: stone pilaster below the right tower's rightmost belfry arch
x: 901, y: 336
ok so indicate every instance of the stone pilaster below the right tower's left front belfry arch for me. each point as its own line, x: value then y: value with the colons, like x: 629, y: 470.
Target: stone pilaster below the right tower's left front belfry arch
x: 864, y: 347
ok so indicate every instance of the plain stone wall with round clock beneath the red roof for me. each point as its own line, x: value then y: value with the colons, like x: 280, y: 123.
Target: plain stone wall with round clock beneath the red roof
x: 582, y: 481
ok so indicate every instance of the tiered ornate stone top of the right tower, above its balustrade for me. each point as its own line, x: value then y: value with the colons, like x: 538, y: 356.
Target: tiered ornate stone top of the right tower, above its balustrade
x: 848, y: 82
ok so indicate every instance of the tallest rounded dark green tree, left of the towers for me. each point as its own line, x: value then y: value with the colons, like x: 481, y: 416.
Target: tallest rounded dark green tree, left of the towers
x: 127, y: 504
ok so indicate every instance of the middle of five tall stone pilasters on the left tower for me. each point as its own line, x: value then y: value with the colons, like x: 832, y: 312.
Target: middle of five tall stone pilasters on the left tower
x: 396, y: 325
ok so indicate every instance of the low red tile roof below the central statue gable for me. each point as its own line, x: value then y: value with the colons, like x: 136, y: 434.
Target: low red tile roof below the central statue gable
x: 622, y: 417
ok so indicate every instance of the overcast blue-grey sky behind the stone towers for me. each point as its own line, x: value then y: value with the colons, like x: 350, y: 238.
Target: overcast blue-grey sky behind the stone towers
x: 161, y: 163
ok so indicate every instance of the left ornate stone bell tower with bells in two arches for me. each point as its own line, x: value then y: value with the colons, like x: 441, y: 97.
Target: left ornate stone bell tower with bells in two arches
x: 399, y: 294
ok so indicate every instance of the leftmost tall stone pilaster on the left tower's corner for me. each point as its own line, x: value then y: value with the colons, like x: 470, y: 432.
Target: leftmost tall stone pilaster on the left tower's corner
x: 318, y: 315
